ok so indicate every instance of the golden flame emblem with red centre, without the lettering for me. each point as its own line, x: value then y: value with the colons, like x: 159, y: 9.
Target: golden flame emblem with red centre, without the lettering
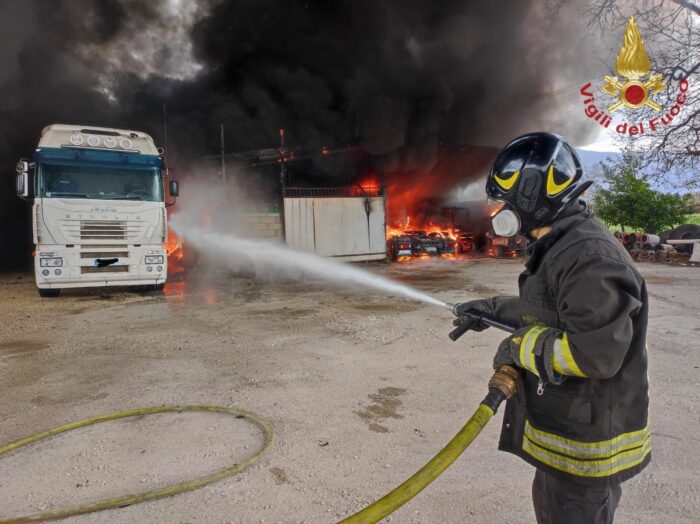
x: 633, y: 65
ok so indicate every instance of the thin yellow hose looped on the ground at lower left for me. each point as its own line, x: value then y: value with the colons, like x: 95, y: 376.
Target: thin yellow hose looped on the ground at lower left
x: 166, y: 491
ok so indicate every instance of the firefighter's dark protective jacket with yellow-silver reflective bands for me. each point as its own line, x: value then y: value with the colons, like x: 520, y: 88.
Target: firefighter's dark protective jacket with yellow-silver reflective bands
x: 581, y: 410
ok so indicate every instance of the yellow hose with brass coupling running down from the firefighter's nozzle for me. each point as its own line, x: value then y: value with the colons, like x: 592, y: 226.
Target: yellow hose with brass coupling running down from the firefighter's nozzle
x: 501, y: 387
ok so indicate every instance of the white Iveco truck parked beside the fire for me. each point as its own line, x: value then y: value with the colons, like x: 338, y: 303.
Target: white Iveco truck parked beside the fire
x: 77, y: 175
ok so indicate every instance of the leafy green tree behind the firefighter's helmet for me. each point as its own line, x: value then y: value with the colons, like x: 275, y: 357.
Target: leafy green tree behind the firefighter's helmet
x: 628, y: 200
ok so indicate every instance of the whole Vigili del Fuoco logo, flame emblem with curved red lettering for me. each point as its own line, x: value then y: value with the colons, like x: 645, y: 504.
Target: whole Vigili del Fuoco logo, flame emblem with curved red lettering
x: 634, y: 88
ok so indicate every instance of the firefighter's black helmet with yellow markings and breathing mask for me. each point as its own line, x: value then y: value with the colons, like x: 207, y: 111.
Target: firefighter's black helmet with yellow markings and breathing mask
x: 537, y: 176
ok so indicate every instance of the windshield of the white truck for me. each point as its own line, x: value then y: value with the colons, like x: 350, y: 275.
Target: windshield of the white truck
x: 99, y: 182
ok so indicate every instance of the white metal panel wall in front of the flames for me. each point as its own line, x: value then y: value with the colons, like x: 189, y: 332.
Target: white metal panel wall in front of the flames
x: 349, y: 228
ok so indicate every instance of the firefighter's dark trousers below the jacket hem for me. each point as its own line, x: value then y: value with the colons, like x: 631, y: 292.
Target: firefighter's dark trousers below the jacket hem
x: 560, y: 502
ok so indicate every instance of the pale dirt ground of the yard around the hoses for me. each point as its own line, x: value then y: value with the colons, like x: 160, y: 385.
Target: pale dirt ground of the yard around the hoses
x: 362, y: 390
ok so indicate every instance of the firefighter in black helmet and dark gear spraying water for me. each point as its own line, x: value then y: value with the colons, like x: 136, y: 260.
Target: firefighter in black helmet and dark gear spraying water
x: 580, y: 415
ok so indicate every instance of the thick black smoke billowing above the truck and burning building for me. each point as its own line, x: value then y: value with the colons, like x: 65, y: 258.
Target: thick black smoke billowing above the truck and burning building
x: 399, y: 81
